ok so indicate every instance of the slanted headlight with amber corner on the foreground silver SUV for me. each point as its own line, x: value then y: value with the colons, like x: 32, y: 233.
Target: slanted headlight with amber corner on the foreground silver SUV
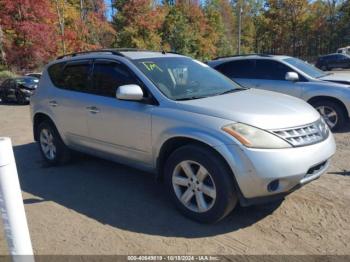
x: 254, y: 137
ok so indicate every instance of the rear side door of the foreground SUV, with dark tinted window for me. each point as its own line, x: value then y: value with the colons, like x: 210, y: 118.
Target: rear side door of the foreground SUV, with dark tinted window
x: 68, y: 101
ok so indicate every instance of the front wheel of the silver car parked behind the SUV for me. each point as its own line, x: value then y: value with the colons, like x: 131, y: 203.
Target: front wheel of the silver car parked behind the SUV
x: 326, y: 108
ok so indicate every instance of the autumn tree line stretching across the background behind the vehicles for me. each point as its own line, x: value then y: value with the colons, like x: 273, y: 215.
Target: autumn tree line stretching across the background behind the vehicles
x: 32, y: 32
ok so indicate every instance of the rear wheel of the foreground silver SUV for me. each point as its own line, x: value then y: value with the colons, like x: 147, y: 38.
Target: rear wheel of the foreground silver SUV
x: 58, y: 153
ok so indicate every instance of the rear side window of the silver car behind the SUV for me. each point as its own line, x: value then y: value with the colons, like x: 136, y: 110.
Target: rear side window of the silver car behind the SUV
x: 237, y: 69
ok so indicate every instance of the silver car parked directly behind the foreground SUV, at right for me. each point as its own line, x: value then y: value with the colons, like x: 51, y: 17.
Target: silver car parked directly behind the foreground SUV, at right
x: 290, y: 76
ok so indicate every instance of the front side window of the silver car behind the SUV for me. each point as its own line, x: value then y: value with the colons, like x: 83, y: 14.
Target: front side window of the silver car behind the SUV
x: 271, y: 70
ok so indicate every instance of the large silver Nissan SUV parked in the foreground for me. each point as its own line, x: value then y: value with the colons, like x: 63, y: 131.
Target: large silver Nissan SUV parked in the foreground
x: 213, y: 142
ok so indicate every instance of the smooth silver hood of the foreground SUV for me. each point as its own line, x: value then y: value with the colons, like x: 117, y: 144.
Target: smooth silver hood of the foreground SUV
x: 263, y: 109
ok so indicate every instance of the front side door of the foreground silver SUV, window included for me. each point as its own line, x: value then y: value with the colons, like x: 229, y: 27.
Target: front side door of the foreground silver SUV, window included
x: 118, y: 127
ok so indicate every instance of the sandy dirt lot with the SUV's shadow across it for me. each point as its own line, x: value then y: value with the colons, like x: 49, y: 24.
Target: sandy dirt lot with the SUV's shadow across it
x: 97, y: 207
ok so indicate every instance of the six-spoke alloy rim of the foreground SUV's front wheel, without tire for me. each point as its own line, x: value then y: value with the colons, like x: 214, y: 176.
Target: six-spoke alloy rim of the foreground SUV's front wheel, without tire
x: 194, y: 186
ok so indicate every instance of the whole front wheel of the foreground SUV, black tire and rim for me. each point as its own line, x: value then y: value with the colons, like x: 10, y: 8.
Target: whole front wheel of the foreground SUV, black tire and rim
x: 218, y: 178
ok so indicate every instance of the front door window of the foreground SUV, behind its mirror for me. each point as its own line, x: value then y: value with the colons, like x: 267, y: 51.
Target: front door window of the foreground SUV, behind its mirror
x: 108, y: 75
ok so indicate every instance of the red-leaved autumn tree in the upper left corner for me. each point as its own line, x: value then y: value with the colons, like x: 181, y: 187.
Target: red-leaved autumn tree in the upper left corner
x: 26, y: 26
